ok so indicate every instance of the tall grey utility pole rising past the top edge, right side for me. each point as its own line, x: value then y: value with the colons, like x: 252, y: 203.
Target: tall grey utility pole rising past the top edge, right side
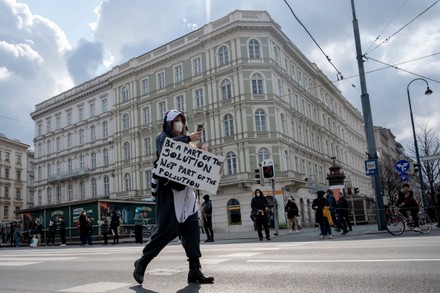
x: 368, y: 122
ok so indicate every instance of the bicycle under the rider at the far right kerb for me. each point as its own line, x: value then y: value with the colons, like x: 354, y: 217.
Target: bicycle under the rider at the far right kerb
x: 398, y: 222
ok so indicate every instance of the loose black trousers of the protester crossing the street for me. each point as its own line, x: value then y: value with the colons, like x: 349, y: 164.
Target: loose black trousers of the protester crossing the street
x: 169, y: 228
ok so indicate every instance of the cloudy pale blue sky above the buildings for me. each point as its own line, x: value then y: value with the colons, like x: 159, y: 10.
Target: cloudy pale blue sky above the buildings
x: 50, y: 46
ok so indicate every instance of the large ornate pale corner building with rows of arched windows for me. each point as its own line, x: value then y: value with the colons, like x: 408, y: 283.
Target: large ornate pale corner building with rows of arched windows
x: 257, y: 95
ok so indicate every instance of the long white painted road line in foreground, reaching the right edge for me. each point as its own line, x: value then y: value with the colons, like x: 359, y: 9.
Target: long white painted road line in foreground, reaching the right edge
x: 341, y: 260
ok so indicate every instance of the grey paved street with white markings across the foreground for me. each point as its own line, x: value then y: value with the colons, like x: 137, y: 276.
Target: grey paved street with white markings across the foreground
x: 364, y: 260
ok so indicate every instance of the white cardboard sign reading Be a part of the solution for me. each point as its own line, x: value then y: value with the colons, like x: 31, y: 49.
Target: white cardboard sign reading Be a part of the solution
x: 189, y: 166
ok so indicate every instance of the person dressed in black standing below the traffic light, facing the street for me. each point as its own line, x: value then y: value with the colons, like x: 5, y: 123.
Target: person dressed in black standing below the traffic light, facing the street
x: 260, y: 212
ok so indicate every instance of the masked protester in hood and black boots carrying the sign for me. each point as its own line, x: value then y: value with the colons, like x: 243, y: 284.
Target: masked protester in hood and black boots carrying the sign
x: 176, y: 208
